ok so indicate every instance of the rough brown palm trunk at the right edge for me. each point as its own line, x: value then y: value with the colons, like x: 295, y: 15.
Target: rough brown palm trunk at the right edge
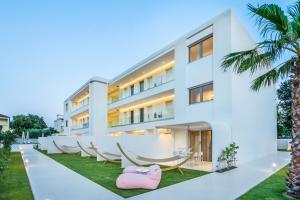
x: 293, y: 176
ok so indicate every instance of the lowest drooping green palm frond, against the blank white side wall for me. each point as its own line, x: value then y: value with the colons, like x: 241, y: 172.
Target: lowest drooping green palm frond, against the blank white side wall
x: 272, y: 76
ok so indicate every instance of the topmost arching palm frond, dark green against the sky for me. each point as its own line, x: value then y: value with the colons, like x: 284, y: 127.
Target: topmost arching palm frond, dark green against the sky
x: 271, y: 19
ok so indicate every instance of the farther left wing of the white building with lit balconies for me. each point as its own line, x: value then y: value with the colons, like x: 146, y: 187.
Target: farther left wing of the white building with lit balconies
x: 84, y: 110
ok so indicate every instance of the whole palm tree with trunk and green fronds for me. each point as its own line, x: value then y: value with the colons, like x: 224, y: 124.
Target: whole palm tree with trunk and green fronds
x: 281, y: 33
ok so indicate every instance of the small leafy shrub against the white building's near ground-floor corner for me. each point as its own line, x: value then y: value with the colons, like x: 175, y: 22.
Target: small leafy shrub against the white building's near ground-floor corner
x: 228, y: 155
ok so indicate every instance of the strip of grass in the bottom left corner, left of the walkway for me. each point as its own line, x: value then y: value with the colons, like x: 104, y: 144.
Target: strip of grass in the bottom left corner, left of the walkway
x: 14, y: 184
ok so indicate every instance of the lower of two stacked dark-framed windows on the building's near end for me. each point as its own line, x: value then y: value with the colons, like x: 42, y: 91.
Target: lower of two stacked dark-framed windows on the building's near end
x: 201, y: 93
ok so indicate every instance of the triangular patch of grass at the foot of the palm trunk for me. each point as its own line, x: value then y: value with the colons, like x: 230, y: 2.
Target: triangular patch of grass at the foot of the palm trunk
x: 270, y: 189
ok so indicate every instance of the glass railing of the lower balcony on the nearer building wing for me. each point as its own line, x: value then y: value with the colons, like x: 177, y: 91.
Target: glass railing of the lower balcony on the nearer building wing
x: 160, y: 115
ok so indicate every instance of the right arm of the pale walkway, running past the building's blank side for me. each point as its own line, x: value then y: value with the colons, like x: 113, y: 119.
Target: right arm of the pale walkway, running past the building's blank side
x: 229, y: 185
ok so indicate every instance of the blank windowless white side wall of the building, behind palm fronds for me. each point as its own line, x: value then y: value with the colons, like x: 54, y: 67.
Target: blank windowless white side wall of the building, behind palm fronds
x: 254, y: 113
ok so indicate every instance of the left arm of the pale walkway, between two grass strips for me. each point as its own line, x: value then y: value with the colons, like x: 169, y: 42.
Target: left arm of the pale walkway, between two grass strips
x: 50, y: 180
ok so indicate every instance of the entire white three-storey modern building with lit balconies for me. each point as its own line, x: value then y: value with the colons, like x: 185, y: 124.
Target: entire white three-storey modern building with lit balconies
x: 181, y: 91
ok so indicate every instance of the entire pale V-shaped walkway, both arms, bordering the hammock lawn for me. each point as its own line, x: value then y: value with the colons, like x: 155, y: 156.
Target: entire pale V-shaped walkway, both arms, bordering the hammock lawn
x: 52, y: 181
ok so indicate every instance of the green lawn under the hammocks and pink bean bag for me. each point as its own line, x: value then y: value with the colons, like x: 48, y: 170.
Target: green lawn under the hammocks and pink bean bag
x: 105, y: 174
